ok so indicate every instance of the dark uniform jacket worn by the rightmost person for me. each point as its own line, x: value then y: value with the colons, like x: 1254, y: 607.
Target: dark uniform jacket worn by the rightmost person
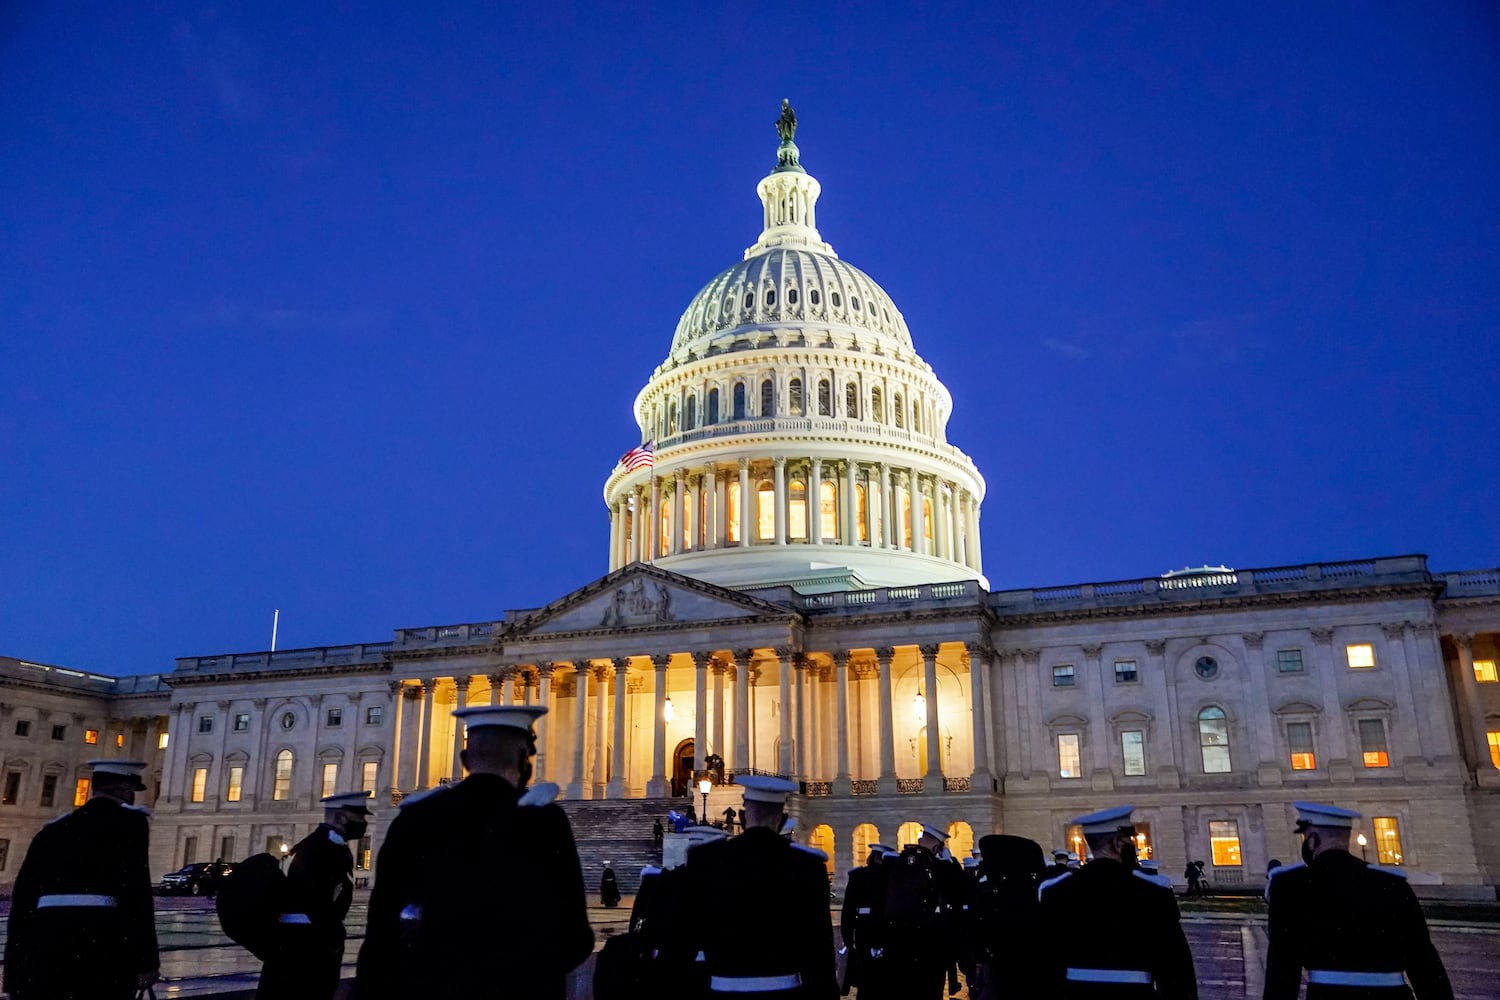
x: 1343, y: 914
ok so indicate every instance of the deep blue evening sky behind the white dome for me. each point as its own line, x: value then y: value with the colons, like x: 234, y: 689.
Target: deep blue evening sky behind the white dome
x: 343, y: 311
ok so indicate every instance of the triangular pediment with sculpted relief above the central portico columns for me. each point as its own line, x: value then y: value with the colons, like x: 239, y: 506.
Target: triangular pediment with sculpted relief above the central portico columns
x: 643, y: 596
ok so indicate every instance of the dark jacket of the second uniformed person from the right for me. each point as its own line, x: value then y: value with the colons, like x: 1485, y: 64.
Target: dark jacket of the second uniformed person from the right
x: 1114, y: 918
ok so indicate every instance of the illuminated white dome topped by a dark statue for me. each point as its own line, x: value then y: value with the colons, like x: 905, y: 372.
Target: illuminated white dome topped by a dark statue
x: 799, y: 437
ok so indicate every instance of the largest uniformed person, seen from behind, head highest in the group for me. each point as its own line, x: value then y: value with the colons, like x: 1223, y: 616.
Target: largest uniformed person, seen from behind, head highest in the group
x: 479, y: 891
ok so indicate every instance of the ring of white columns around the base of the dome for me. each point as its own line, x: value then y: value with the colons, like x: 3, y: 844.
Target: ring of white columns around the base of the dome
x: 704, y: 521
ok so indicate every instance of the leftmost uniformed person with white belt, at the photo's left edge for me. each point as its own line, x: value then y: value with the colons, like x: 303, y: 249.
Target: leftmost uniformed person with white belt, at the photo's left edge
x: 82, y: 920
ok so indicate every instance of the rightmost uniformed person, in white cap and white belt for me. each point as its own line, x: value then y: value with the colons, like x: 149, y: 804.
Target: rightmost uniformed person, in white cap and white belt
x: 1355, y: 927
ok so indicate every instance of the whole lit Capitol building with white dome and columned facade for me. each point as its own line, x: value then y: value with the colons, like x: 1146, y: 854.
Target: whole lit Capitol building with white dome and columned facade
x: 797, y: 587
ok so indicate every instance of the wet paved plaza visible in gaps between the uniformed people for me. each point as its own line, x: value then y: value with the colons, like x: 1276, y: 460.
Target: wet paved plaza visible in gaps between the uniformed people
x: 1229, y: 951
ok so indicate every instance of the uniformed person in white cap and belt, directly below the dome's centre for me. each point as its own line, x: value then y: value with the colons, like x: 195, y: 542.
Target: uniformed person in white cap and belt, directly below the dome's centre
x: 772, y: 935
